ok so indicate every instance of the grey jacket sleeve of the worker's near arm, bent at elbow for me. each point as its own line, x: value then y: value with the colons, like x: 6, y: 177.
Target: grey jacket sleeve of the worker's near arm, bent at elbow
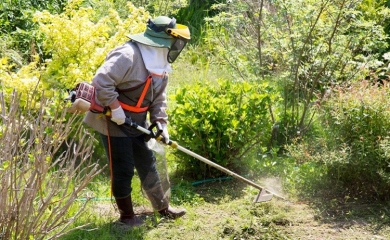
x: 118, y: 62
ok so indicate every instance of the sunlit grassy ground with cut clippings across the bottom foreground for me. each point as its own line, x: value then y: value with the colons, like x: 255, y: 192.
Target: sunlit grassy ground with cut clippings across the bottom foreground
x: 227, y: 212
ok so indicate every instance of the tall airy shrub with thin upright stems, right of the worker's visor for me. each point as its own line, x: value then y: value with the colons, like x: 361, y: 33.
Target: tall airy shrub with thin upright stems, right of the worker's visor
x: 305, y: 46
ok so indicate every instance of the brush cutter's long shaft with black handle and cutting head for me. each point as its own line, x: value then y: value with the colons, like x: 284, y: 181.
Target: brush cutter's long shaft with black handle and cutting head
x: 264, y: 194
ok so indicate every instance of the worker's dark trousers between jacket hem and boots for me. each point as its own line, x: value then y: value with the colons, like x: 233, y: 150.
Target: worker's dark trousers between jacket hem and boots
x: 128, y: 153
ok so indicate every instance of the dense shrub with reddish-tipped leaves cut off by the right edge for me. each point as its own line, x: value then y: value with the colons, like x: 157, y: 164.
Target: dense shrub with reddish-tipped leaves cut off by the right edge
x: 357, y: 119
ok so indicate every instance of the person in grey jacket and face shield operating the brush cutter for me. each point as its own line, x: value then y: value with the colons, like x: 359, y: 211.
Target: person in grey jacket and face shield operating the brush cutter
x: 132, y: 83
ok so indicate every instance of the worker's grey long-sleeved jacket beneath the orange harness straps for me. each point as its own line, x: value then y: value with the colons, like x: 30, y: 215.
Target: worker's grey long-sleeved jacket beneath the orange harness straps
x: 123, y: 76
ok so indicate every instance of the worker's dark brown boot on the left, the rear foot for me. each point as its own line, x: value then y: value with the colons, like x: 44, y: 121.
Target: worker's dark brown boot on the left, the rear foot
x: 127, y: 216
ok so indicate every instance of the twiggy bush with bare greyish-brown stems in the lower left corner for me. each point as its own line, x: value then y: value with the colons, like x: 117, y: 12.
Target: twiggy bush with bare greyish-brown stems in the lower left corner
x: 39, y: 181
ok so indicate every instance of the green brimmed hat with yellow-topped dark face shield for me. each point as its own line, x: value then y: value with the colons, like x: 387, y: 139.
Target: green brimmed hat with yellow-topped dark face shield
x: 164, y: 32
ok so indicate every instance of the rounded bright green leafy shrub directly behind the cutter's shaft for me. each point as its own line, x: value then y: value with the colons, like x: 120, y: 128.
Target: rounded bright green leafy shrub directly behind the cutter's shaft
x: 221, y: 122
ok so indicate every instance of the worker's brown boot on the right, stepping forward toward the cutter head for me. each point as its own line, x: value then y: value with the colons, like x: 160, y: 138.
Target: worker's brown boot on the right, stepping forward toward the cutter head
x: 160, y: 203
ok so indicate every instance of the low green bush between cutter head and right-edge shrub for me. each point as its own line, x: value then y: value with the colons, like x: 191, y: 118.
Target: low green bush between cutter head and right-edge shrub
x: 306, y: 169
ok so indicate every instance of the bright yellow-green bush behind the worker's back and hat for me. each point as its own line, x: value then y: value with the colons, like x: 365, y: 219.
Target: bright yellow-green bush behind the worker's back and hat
x: 78, y: 43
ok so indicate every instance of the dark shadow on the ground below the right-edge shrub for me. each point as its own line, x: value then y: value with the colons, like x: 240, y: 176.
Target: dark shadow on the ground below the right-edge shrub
x: 334, y: 206
